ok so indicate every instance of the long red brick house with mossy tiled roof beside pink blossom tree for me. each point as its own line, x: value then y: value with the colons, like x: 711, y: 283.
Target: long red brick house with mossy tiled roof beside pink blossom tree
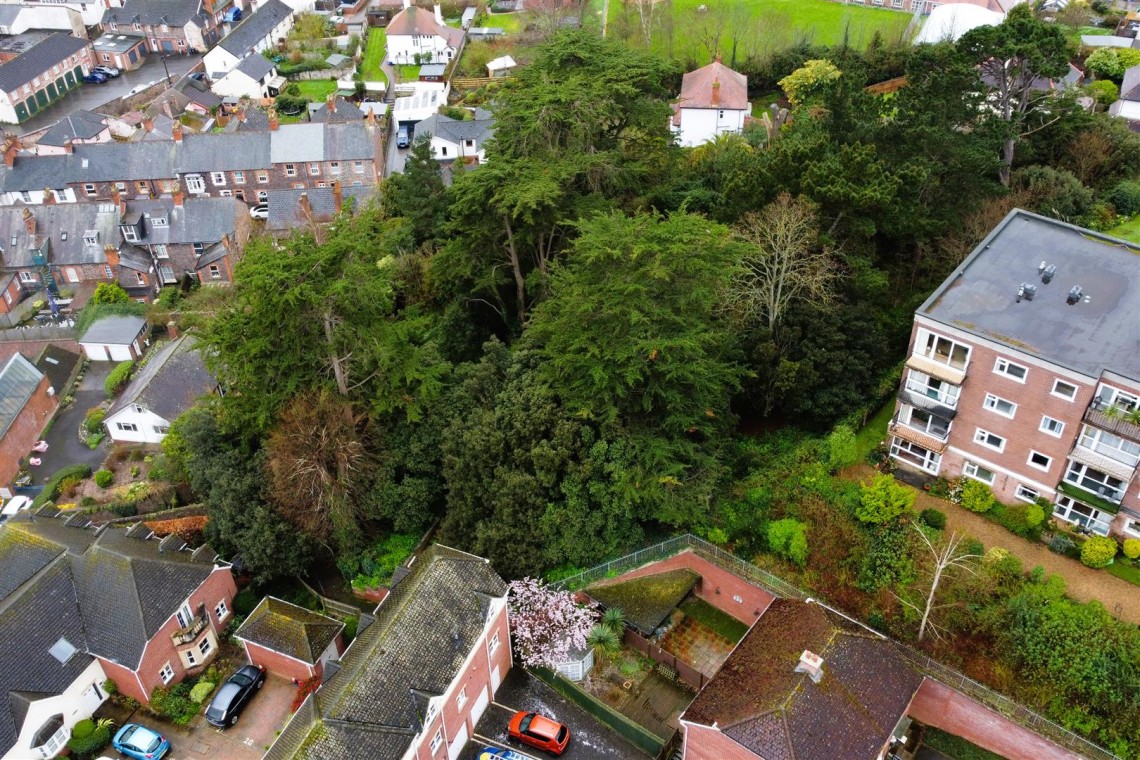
x: 420, y: 674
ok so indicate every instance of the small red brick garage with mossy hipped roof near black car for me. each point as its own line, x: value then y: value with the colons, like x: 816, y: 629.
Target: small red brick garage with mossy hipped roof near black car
x: 290, y: 641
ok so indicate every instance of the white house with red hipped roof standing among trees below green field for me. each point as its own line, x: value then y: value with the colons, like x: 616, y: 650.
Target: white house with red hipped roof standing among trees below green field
x: 714, y: 102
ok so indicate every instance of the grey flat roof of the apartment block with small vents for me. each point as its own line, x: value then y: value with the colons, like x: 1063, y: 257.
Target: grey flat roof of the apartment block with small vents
x: 1065, y: 295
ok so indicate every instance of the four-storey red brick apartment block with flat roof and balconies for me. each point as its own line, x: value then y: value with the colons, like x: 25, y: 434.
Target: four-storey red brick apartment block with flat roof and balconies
x: 1024, y: 373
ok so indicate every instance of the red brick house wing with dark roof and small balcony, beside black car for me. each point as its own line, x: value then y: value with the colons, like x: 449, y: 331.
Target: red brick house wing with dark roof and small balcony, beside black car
x: 152, y: 610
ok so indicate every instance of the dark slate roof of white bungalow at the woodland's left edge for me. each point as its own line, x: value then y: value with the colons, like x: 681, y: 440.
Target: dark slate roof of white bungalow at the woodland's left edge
x: 170, y: 382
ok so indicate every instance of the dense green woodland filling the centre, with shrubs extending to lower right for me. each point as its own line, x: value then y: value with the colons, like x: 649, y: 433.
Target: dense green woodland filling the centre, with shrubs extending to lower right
x: 597, y: 339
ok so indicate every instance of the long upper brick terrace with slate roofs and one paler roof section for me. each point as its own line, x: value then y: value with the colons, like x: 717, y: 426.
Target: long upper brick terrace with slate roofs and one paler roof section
x: 242, y: 165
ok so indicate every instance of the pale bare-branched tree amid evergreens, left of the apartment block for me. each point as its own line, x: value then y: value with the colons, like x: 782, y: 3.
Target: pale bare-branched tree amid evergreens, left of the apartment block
x: 784, y: 261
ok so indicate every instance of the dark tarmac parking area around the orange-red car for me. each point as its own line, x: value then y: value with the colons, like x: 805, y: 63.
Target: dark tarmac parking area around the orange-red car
x: 590, y: 740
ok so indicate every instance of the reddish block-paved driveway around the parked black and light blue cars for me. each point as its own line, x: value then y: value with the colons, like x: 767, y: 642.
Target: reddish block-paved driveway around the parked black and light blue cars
x: 264, y: 717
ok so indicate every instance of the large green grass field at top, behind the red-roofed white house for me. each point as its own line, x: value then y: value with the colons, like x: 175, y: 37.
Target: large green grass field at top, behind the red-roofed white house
x: 770, y: 26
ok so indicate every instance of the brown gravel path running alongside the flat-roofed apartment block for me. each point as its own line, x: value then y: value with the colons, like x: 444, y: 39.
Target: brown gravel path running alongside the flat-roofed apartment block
x: 1121, y: 598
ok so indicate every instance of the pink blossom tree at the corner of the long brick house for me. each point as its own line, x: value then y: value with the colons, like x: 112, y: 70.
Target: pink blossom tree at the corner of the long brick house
x: 547, y: 625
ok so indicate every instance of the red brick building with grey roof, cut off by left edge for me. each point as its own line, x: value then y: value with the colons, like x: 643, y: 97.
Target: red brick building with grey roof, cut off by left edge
x: 28, y: 403
